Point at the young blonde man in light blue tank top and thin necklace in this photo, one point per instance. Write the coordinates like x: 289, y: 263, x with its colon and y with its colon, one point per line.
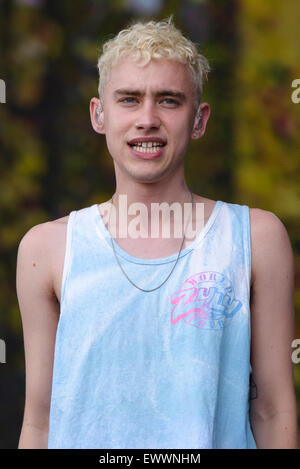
x: 153, y: 337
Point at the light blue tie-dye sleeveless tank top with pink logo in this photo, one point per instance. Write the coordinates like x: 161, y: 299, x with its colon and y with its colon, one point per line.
x: 166, y: 369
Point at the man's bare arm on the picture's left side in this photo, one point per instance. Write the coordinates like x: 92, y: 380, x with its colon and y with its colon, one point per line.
x: 40, y: 313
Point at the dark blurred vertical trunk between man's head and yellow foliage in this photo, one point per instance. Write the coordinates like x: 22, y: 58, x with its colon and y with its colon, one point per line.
x: 210, y: 162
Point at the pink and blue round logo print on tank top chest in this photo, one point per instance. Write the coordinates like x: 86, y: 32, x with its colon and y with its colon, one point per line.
x: 205, y: 300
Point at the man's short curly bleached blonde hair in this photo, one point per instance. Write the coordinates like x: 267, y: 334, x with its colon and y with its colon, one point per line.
x: 153, y: 40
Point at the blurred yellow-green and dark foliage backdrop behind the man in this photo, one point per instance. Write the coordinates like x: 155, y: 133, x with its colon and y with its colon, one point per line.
x: 52, y: 162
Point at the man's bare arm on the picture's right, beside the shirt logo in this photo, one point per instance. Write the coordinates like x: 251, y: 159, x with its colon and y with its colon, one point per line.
x: 273, y: 412
